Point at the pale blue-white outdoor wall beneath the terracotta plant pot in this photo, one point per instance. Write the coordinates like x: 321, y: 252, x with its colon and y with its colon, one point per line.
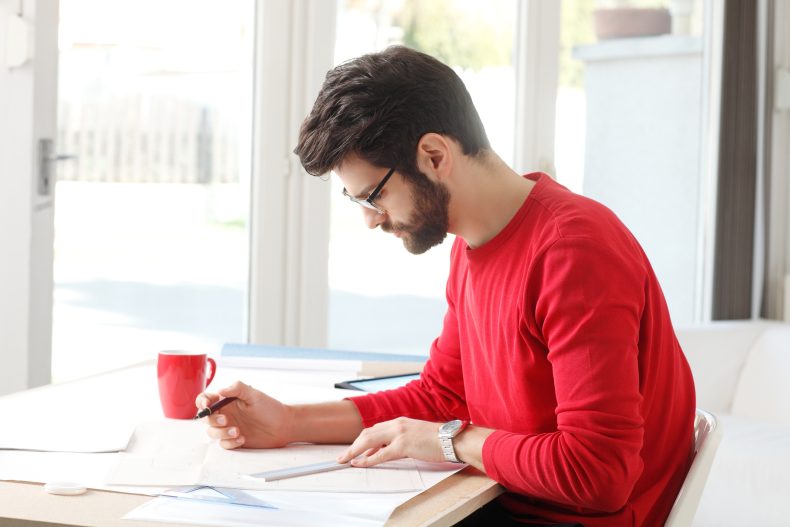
x: 642, y: 155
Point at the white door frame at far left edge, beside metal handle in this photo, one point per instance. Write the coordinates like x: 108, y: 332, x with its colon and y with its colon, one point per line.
x: 28, y: 110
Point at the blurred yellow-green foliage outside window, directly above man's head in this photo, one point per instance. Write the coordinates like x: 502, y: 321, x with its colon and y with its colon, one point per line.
x: 466, y: 35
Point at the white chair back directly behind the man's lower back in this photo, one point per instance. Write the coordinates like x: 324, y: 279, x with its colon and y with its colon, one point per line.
x: 707, y: 436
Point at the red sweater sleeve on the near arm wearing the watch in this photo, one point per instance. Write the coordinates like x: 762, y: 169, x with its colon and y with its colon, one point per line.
x: 587, y: 298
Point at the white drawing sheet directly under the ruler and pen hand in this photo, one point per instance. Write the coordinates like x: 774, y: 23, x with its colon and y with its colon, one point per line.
x: 175, y: 453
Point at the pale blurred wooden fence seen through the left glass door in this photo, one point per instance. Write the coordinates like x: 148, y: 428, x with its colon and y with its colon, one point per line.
x: 148, y: 139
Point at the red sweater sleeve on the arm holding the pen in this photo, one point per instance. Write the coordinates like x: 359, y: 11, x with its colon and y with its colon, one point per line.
x: 438, y: 395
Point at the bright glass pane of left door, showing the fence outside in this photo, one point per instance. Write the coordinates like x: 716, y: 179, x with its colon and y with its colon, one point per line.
x: 151, y: 244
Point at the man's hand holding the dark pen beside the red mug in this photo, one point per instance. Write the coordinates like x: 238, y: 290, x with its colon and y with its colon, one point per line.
x: 254, y: 420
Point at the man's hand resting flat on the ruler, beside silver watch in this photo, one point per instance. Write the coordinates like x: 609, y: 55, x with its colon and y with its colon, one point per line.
x: 396, y: 439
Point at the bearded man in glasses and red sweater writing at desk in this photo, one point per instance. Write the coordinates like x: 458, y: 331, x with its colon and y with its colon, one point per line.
x: 557, y: 344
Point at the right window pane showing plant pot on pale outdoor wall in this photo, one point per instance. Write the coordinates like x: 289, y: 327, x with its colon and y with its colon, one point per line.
x: 631, y: 130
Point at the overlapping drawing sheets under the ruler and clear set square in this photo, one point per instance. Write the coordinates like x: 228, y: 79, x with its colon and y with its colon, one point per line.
x: 178, y: 453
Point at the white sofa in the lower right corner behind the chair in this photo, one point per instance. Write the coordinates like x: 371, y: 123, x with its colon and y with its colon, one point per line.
x: 742, y: 374
